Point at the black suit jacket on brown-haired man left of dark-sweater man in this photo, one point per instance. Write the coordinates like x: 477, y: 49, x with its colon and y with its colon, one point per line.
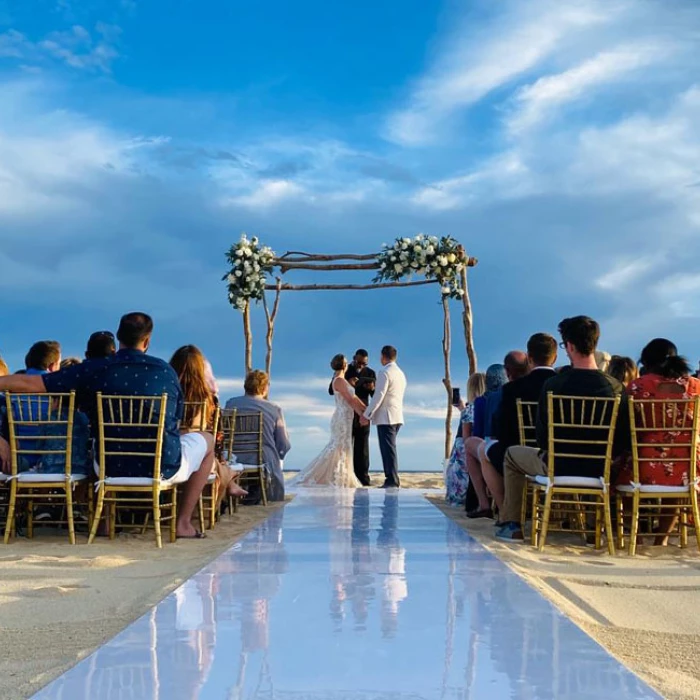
x: 506, y: 431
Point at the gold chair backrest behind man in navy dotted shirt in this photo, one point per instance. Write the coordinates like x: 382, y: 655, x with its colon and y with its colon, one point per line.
x: 131, y: 431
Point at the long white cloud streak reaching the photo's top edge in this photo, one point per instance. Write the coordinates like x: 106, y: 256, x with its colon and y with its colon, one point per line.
x: 474, y: 63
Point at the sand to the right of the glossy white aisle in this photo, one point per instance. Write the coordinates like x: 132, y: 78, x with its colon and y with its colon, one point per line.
x: 645, y: 609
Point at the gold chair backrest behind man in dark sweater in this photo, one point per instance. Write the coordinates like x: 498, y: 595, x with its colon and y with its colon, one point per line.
x: 581, y: 432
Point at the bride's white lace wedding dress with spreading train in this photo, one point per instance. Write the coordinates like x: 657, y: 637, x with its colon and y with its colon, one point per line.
x: 334, y: 466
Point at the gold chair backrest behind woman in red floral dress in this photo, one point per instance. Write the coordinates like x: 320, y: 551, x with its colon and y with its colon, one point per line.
x: 665, y: 430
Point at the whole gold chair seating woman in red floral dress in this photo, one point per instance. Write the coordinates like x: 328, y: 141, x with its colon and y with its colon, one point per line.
x: 679, y: 420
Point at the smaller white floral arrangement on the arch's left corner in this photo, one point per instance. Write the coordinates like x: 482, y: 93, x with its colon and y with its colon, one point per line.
x: 250, y: 263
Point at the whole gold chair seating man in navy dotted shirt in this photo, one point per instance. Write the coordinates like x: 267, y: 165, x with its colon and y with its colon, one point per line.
x: 142, y: 417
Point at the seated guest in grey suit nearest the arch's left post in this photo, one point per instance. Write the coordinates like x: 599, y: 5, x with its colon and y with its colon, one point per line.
x: 275, y: 439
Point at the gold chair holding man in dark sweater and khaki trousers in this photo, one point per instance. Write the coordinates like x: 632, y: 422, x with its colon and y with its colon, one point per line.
x: 580, y: 429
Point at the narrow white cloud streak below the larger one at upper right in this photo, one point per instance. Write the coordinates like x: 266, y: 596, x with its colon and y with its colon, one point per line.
x: 535, y: 103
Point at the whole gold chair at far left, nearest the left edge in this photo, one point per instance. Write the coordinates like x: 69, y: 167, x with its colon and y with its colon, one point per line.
x: 40, y: 429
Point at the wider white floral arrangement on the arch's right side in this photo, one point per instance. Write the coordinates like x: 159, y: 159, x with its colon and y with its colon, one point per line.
x: 442, y: 259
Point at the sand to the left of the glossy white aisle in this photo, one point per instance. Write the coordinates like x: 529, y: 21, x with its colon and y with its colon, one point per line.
x: 59, y: 602
